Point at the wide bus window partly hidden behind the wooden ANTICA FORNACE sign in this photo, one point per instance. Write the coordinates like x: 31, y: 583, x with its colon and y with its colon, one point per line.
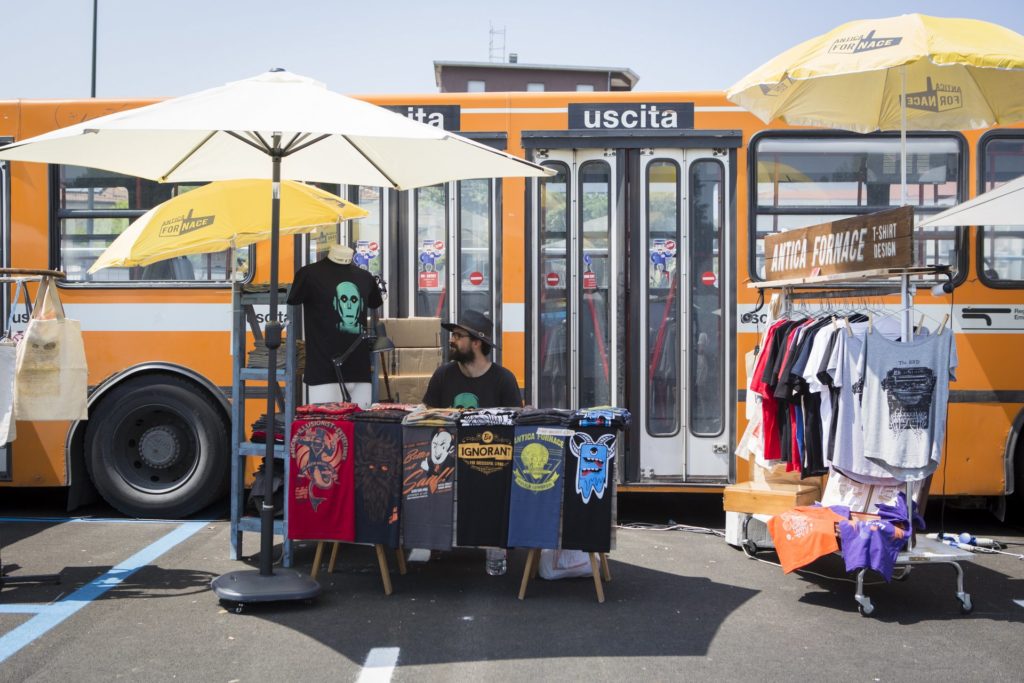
x: 802, y: 181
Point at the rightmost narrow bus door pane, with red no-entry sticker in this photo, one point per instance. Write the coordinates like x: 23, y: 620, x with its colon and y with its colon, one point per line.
x: 707, y: 359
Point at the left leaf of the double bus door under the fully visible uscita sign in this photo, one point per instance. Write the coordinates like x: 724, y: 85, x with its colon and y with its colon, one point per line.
x: 577, y: 335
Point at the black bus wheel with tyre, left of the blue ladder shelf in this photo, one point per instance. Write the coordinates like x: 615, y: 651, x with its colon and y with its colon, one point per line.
x: 157, y: 447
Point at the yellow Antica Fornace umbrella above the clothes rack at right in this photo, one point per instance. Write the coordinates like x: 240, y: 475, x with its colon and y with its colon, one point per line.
x: 952, y: 74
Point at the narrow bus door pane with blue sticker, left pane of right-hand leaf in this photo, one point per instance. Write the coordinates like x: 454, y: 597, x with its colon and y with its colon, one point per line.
x: 664, y: 377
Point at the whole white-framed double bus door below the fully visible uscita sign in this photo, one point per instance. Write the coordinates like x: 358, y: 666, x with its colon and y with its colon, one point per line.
x: 631, y: 302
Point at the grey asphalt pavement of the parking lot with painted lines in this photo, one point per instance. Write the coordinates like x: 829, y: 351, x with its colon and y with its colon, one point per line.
x: 135, y: 605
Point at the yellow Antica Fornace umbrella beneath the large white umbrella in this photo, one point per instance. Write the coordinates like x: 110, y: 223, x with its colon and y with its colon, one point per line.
x: 223, y: 216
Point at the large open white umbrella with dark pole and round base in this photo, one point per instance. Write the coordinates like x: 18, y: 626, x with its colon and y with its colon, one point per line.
x: 309, y: 134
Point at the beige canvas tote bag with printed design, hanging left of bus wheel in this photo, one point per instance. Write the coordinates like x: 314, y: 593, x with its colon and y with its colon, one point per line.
x: 52, y: 381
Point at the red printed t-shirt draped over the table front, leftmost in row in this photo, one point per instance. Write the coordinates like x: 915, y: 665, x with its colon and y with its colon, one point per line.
x: 322, y: 504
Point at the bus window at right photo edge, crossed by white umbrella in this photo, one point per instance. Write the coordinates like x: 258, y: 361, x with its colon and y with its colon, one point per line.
x: 1002, y: 252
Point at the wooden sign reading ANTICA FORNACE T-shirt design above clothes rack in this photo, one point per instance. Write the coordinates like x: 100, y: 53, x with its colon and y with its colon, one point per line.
x: 882, y: 240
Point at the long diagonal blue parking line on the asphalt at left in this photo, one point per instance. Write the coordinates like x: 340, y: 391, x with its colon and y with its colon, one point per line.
x: 54, y: 615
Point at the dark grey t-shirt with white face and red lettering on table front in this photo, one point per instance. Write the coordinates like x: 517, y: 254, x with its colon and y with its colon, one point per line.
x: 429, y: 487
